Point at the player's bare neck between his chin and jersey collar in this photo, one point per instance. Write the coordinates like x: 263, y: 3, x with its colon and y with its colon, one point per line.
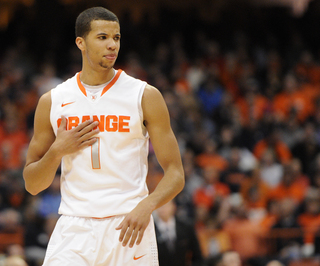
x: 95, y: 78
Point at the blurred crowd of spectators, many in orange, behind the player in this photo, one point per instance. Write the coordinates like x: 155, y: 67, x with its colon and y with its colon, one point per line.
x: 247, y: 120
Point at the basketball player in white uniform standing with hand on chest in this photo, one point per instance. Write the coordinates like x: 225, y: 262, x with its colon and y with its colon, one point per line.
x: 98, y: 123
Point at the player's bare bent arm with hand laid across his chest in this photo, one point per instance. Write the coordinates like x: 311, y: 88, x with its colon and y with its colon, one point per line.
x: 46, y: 150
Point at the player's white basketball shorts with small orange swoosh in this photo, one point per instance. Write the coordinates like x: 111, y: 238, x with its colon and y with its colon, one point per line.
x: 78, y: 241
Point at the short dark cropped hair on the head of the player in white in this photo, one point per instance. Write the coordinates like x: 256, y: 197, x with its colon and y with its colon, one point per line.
x: 83, y: 21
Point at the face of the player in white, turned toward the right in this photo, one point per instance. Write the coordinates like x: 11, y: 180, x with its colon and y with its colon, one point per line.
x: 102, y: 44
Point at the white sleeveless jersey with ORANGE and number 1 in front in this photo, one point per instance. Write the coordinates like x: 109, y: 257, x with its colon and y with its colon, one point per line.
x: 109, y: 177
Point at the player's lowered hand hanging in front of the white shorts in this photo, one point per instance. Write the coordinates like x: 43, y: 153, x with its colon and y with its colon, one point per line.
x: 134, y: 224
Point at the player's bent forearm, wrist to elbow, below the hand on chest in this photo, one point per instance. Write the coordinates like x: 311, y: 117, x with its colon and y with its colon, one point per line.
x: 38, y: 175
